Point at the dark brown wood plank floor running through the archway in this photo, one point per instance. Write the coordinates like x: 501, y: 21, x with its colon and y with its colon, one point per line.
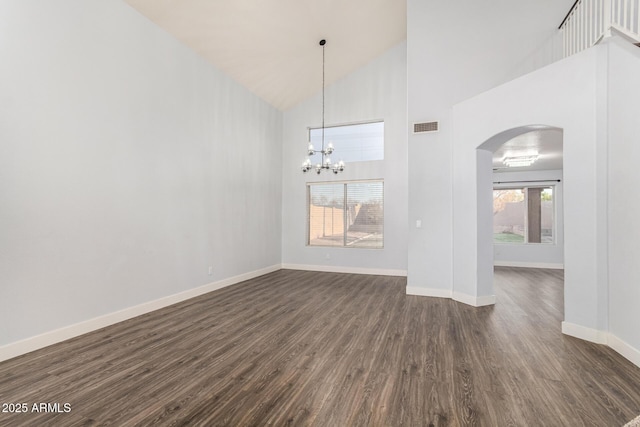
x: 302, y: 348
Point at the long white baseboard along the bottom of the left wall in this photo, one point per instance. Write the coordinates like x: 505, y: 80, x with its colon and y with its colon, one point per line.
x: 37, y: 342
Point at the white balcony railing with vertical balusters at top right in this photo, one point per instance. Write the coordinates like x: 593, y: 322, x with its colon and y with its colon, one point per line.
x: 589, y: 21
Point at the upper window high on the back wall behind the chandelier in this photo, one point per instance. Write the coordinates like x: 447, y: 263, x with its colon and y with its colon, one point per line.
x: 352, y: 143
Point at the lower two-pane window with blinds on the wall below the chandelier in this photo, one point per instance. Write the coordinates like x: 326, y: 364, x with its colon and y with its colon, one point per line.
x: 347, y: 214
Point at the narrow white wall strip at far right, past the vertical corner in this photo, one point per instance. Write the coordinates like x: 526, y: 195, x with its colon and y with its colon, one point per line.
x: 624, y: 204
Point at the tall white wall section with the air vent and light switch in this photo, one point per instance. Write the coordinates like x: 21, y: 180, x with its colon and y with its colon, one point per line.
x: 456, y: 50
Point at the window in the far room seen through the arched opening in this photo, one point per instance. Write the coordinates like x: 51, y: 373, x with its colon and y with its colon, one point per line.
x: 523, y: 215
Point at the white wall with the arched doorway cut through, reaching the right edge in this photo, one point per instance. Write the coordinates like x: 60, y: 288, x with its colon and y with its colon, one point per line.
x: 593, y: 96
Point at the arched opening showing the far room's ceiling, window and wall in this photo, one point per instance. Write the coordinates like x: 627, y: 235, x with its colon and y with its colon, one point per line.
x: 520, y: 201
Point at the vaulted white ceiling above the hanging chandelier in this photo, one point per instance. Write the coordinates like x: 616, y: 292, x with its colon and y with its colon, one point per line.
x: 271, y: 46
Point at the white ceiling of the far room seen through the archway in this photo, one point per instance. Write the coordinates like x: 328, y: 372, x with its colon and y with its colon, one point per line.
x: 547, y: 143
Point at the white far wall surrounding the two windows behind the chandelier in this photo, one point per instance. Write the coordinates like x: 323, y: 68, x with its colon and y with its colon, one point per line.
x: 376, y: 91
